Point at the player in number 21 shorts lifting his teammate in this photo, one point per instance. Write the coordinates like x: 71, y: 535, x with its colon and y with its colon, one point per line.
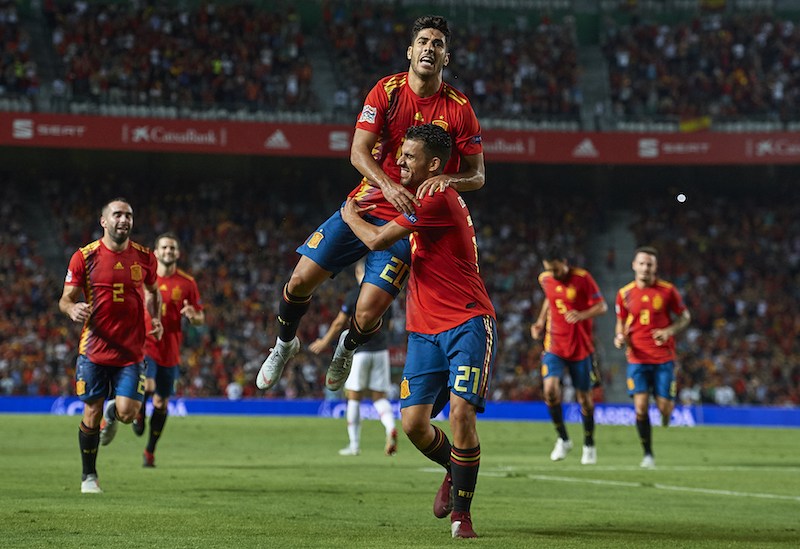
x: 451, y: 320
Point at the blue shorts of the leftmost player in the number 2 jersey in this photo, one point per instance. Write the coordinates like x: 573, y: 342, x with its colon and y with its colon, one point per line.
x: 93, y: 380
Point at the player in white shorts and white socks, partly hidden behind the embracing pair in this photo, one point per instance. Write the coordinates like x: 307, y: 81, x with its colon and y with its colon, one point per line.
x: 370, y: 371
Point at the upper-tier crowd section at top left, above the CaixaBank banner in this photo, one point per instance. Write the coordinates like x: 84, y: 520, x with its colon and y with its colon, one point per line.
x: 214, y: 55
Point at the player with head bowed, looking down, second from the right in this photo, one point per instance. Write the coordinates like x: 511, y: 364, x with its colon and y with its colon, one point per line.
x: 572, y: 300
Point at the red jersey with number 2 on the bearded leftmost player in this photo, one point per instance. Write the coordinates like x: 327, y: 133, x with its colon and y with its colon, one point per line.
x: 113, y: 286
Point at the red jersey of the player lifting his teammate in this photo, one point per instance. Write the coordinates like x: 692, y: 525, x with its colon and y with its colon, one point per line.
x: 444, y: 289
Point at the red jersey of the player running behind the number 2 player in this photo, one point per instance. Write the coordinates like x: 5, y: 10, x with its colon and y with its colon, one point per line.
x: 174, y: 289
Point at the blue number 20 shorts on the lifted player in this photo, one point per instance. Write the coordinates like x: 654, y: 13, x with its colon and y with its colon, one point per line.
x: 333, y: 246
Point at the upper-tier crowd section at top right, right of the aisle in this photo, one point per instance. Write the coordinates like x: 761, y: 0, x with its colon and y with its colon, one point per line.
x: 716, y: 65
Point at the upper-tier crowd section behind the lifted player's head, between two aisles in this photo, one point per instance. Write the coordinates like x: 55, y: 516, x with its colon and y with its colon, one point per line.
x: 506, y: 72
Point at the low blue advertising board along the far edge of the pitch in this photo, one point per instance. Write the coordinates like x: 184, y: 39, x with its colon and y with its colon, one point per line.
x: 605, y: 414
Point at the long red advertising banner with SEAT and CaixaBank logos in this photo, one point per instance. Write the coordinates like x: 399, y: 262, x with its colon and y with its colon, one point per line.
x: 327, y: 140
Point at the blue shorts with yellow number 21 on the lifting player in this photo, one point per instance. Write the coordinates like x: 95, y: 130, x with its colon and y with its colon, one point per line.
x: 459, y: 359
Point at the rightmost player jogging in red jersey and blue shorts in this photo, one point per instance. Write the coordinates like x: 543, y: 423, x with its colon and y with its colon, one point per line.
x: 644, y: 324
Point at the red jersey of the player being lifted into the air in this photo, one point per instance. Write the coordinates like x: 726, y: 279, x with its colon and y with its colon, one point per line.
x: 390, y: 108
